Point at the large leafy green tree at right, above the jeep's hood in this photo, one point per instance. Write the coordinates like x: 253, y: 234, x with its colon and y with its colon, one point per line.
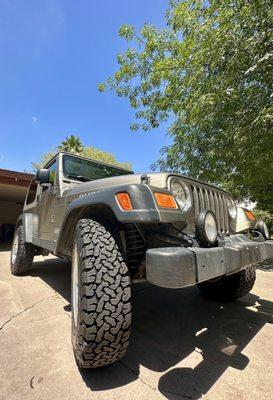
x: 210, y: 73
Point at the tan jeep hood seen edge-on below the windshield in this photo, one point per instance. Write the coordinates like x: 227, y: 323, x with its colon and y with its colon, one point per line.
x: 155, y: 179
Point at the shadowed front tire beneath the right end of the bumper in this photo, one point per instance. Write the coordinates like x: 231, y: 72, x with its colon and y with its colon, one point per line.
x: 232, y: 287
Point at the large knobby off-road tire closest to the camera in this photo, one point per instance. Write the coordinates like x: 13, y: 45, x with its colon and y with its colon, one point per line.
x: 101, y: 316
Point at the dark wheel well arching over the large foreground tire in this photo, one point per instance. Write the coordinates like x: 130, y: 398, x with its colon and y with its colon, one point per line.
x: 99, y: 212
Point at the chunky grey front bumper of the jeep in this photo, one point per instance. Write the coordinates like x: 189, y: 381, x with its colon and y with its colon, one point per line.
x: 177, y: 267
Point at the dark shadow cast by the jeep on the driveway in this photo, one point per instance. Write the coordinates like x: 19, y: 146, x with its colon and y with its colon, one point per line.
x: 168, y: 327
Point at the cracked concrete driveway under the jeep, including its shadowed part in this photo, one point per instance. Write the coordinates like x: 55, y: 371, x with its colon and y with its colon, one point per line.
x: 182, y: 346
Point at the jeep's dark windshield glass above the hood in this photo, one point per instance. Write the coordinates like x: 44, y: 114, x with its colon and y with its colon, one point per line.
x: 85, y: 170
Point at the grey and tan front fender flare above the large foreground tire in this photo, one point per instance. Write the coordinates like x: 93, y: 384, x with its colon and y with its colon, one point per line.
x: 145, y: 209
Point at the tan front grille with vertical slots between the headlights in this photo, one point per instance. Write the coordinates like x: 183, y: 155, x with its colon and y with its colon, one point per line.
x: 206, y: 199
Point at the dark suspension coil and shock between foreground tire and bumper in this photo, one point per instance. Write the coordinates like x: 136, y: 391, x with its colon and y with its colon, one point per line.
x: 135, y: 247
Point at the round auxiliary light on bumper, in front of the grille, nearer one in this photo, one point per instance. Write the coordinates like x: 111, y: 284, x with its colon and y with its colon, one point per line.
x: 206, y: 227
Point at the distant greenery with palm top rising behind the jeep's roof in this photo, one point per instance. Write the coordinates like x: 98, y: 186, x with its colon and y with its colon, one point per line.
x: 73, y: 144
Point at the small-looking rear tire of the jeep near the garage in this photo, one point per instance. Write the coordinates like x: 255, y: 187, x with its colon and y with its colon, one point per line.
x: 21, y: 262
